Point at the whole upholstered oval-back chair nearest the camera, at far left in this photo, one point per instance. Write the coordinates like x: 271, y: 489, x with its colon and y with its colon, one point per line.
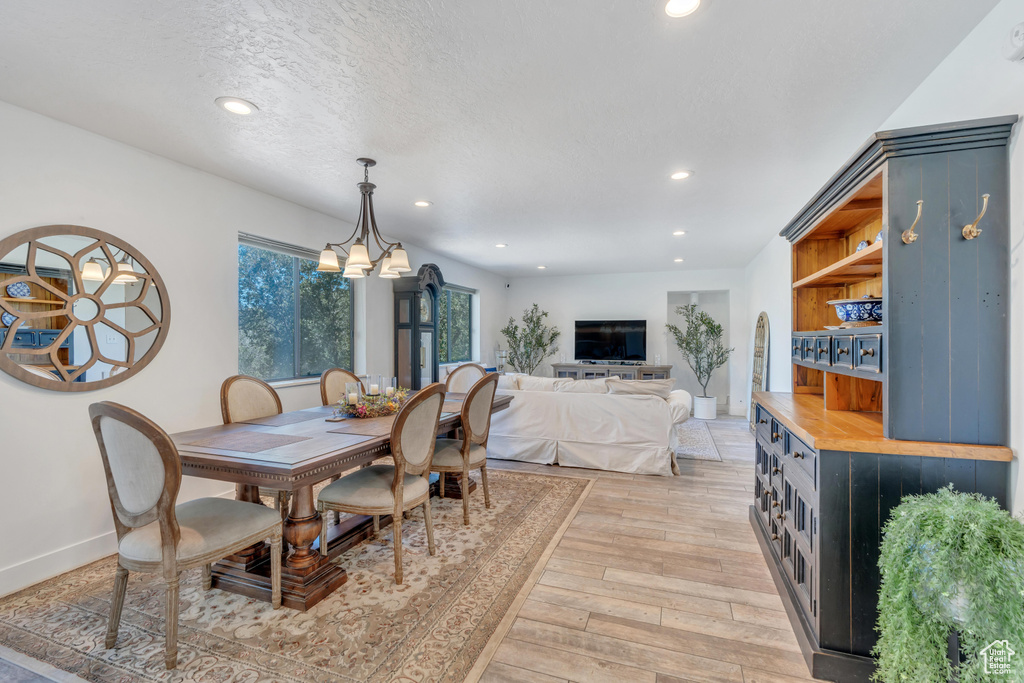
x: 144, y: 475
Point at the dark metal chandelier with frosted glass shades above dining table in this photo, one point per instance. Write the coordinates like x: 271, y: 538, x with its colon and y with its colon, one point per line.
x: 394, y: 260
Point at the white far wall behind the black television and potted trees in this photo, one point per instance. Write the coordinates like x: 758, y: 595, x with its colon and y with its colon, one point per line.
x: 636, y: 296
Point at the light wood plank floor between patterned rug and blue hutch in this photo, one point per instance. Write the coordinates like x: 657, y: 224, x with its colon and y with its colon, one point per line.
x: 657, y: 580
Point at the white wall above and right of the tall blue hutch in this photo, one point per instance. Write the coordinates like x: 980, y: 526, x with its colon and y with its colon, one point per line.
x: 976, y: 81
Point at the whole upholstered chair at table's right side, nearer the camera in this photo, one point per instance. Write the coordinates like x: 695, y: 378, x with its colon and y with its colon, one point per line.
x: 387, y: 490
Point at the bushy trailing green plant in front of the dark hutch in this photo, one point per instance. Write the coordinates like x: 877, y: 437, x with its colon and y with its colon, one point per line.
x: 949, y: 562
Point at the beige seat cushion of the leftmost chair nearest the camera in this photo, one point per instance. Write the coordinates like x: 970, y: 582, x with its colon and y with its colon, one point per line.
x: 207, y: 525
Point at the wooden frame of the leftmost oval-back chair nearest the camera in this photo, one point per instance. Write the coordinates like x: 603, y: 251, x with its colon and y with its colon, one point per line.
x: 163, y: 513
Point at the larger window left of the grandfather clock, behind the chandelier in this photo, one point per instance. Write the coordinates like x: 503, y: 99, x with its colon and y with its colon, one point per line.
x: 293, y: 321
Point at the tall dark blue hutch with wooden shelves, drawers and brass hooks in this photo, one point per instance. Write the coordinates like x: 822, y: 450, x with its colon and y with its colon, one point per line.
x: 904, y: 406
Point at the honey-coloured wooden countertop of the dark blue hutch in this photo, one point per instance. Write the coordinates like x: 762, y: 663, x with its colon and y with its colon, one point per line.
x: 805, y: 416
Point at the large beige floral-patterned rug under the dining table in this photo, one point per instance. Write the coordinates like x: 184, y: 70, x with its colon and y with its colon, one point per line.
x: 434, y: 628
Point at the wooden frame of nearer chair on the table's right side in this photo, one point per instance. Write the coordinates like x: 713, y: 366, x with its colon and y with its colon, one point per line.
x: 402, y: 466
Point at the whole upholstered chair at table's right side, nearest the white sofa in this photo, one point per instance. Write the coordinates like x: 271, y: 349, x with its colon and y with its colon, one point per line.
x: 470, y: 453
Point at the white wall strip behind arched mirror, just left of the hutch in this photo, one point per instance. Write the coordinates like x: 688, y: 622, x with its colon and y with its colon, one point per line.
x: 770, y: 288
